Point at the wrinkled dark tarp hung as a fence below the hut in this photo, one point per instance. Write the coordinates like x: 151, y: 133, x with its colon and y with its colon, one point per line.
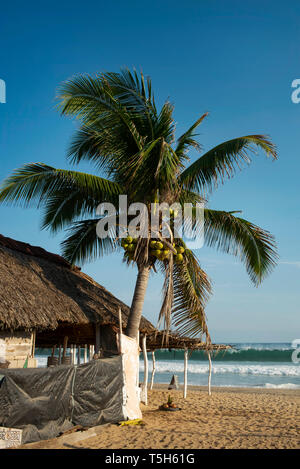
x: 46, y: 401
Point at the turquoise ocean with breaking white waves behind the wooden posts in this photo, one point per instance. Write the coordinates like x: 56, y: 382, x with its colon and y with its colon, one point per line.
x: 254, y: 365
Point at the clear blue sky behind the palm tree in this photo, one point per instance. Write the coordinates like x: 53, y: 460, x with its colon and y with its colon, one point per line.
x: 236, y: 60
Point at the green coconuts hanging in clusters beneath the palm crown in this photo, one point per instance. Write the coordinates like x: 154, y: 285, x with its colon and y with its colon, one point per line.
x: 156, y: 249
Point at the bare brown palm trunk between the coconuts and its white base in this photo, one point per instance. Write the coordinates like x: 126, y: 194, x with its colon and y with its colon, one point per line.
x: 137, y: 302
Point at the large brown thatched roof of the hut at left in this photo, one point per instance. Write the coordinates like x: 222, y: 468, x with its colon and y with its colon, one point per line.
x: 40, y: 290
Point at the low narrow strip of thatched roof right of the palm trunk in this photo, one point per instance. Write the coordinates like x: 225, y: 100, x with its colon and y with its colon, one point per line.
x: 172, y: 340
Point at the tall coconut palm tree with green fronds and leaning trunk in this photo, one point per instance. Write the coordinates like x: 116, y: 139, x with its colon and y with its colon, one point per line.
x: 132, y: 146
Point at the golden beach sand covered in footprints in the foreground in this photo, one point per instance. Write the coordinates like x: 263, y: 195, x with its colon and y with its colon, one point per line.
x: 229, y: 418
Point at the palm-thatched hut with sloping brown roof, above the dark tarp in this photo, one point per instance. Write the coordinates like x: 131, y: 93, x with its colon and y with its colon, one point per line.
x: 46, y: 302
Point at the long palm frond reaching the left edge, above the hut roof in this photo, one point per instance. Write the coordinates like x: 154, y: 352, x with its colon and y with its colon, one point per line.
x: 65, y: 195
